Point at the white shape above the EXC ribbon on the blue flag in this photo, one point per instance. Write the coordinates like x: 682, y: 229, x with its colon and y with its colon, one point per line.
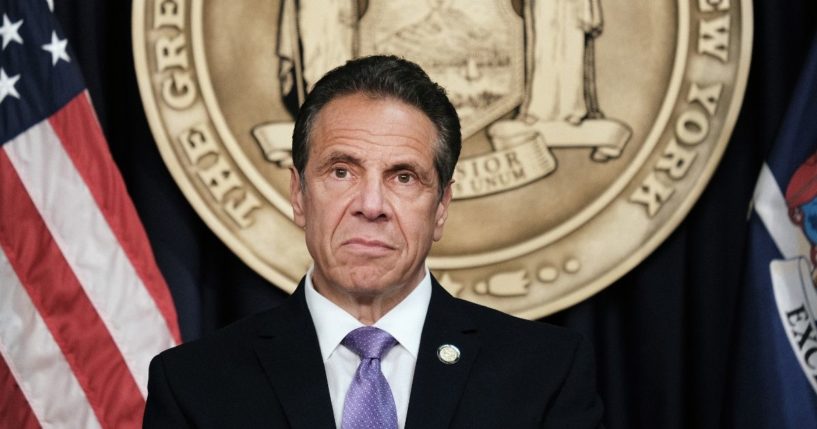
x: 770, y: 205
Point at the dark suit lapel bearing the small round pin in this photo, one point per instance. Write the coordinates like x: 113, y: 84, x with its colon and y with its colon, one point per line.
x: 437, y: 386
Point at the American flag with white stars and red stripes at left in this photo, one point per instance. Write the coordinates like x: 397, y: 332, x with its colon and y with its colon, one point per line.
x: 83, y: 306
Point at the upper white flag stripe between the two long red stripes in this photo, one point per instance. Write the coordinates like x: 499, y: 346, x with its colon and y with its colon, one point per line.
x: 90, y: 248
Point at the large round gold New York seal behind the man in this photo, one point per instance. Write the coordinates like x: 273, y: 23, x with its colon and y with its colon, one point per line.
x: 590, y: 126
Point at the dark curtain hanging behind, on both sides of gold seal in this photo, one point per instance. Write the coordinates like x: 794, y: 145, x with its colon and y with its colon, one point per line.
x: 663, y: 334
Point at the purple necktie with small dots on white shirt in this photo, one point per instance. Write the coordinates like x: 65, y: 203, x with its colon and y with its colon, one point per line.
x: 369, y: 402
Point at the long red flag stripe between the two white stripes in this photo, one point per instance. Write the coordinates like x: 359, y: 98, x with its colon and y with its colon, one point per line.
x: 61, y: 301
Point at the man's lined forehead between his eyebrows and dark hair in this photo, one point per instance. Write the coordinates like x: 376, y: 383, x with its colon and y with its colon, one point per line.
x: 373, y: 123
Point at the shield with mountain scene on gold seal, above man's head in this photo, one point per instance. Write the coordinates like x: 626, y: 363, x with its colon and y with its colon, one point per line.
x: 473, y: 49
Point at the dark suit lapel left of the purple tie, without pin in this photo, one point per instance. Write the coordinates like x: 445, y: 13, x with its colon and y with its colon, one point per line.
x: 287, y: 347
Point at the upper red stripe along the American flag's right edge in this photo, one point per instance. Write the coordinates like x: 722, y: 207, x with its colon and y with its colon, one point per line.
x: 76, y: 126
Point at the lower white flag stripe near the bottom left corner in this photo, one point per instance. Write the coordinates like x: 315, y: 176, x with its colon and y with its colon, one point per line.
x: 37, y: 363
